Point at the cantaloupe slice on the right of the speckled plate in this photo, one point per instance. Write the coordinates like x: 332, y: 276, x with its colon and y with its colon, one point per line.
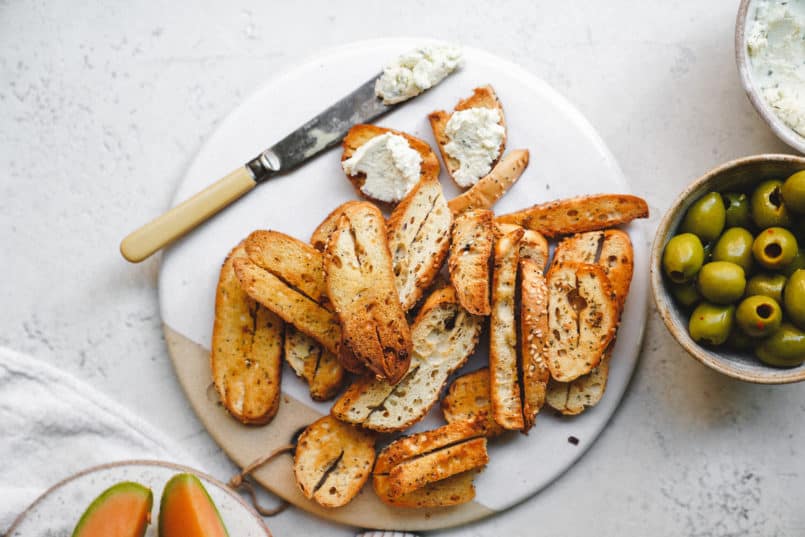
x: 186, y: 510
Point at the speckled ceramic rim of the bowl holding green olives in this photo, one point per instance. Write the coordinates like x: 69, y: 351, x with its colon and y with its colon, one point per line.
x: 710, y: 359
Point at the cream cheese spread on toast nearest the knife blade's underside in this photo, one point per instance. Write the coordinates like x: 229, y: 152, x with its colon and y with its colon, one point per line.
x: 391, y: 166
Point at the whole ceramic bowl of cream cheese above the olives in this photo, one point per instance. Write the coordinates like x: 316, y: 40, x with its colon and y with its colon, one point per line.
x: 770, y: 52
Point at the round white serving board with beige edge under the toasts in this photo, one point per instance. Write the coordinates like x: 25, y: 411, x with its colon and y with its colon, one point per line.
x: 568, y: 158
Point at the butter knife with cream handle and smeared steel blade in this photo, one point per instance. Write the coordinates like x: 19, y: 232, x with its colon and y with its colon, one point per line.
x: 317, y: 135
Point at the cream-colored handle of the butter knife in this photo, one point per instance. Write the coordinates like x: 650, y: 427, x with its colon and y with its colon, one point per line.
x: 162, y: 231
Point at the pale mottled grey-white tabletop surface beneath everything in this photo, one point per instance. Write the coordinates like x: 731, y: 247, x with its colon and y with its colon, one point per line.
x: 103, y: 104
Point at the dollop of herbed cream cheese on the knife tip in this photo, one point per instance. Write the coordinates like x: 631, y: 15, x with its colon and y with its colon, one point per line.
x: 415, y: 71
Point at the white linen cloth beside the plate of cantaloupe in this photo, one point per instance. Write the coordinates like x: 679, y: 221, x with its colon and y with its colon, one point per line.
x: 52, y: 425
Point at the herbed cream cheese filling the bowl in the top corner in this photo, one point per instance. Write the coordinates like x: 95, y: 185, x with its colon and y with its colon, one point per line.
x: 776, y: 46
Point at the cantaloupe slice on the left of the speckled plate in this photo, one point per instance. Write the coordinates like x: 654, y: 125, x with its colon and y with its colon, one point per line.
x: 123, y: 510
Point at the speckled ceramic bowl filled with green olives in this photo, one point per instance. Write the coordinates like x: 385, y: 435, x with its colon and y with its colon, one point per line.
x: 728, y: 269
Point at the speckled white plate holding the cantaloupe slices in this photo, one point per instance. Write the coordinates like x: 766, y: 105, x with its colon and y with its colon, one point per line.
x: 58, y: 510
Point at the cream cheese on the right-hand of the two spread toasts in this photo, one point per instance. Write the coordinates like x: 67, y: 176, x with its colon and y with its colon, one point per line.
x: 475, y: 138
